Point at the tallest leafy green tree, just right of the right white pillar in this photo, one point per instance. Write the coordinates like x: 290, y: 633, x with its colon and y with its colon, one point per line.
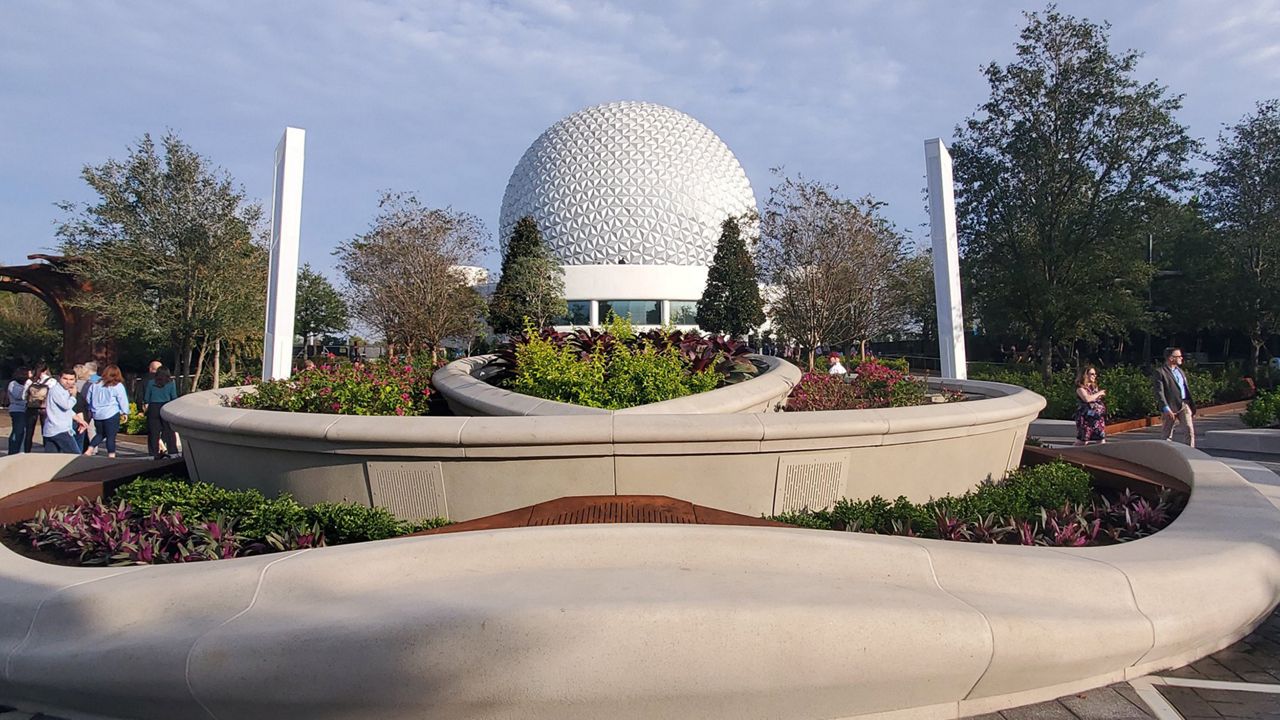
x: 1053, y: 176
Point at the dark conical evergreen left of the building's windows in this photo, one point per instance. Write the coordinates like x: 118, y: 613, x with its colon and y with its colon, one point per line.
x: 532, y: 284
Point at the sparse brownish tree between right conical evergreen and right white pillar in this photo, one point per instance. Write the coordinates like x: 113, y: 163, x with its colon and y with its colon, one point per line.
x: 816, y: 252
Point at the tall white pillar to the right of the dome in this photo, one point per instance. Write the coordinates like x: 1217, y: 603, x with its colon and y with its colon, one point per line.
x: 947, y: 259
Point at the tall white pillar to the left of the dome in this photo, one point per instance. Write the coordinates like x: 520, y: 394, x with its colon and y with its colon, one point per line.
x: 282, y: 288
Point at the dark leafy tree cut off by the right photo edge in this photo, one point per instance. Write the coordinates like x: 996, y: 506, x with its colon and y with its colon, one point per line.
x: 1242, y: 199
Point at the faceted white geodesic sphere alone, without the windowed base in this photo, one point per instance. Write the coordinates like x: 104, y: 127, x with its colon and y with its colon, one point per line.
x: 628, y: 183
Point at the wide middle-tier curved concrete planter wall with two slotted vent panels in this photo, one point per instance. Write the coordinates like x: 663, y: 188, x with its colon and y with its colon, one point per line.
x: 749, y: 463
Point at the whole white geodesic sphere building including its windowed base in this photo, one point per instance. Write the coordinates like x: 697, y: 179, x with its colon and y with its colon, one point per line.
x: 630, y: 198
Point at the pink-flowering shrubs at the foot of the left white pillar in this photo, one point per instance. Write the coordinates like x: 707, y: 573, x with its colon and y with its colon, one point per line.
x: 400, y: 386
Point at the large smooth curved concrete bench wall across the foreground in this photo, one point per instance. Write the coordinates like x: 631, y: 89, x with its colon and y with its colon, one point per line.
x: 641, y: 621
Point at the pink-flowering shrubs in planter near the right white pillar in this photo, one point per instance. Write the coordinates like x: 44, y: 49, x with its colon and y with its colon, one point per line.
x: 874, y: 385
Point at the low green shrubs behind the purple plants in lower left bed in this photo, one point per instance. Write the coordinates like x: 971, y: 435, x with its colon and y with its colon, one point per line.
x: 258, y: 517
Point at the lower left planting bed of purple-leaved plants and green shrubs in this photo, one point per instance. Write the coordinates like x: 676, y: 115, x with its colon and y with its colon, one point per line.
x: 157, y: 521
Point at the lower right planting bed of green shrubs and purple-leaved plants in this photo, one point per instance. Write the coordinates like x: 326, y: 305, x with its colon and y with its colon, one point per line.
x: 1054, y: 505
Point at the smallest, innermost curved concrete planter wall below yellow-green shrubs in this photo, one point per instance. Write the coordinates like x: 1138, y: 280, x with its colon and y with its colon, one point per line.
x: 463, y: 384
